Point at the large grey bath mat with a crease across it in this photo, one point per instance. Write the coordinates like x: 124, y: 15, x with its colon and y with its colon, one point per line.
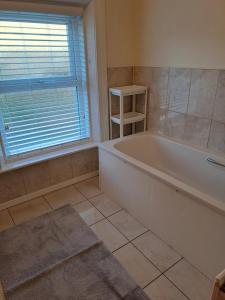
x: 57, y: 257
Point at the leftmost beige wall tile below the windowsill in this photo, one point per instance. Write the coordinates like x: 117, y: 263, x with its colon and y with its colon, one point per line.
x: 11, y: 185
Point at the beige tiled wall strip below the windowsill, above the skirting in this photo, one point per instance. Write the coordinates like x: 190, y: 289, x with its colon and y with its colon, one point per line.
x: 33, y: 178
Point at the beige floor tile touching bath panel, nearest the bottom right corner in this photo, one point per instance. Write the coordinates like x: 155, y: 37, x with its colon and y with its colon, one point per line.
x: 190, y: 281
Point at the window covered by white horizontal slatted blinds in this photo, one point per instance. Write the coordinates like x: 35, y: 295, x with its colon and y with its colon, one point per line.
x: 43, y: 93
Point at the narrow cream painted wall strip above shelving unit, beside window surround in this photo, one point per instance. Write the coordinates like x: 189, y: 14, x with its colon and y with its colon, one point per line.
x: 120, y: 34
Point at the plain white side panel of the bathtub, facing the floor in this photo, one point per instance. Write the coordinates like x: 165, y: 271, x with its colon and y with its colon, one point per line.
x: 193, y: 229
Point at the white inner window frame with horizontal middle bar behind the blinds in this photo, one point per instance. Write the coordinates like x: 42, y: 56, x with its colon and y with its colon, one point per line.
x: 53, y: 82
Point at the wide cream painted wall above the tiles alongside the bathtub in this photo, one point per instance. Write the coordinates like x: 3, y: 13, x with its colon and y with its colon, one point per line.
x: 180, y: 33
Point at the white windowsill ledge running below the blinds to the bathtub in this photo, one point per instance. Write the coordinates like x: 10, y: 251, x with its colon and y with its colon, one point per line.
x: 45, y: 157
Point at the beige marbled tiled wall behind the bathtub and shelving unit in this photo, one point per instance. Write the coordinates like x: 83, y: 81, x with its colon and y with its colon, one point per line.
x: 186, y: 104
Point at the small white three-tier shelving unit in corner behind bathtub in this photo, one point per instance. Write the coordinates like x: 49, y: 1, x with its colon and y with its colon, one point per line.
x: 128, y: 117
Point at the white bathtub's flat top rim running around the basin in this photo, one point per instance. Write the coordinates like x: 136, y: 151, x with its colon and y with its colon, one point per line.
x: 177, y: 184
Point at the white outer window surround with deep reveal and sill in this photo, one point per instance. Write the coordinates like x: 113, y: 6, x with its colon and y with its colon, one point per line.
x: 96, y: 63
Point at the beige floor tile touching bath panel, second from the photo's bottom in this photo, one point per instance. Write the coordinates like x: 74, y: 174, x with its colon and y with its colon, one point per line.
x: 157, y: 251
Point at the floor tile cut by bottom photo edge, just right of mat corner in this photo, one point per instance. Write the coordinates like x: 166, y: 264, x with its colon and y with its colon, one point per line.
x: 163, y: 289
